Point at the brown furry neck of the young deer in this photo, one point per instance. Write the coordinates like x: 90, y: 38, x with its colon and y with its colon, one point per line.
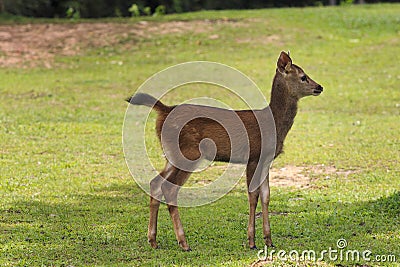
x: 284, y: 110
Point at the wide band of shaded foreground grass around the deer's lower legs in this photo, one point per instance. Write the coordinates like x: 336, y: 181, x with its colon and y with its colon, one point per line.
x: 109, y: 226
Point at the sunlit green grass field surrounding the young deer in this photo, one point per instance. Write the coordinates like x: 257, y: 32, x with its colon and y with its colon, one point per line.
x: 67, y: 198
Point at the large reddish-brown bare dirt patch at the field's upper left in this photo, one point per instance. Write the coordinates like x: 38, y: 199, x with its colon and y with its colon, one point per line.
x: 36, y: 44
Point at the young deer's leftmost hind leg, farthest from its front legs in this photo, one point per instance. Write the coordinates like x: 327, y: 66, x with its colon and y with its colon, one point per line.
x: 155, y: 198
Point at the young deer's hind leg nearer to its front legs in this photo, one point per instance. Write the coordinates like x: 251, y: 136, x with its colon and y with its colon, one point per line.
x: 170, y: 189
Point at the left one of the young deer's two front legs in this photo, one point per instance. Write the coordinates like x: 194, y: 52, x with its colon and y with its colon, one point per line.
x: 253, y: 199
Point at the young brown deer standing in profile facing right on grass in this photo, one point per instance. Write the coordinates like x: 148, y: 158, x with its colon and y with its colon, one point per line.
x: 289, y: 85
